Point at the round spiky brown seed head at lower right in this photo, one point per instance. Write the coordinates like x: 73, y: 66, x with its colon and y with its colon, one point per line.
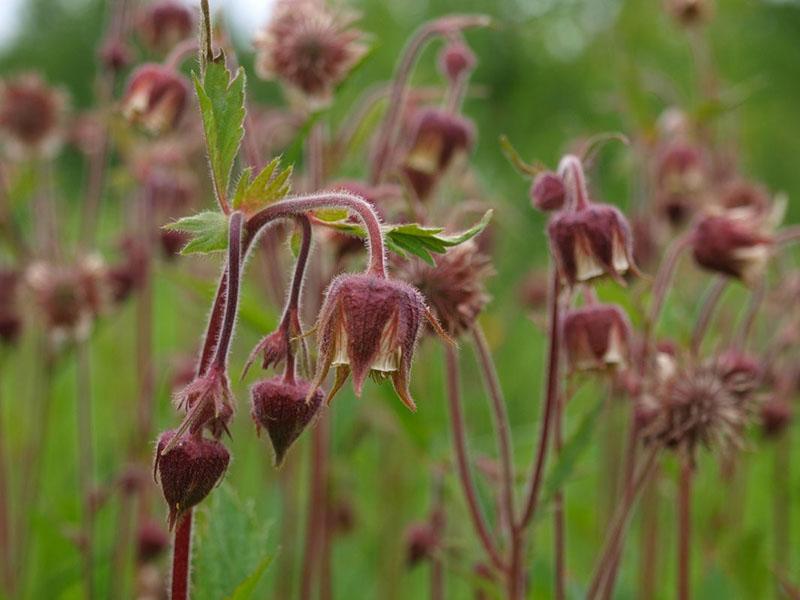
x: 698, y: 407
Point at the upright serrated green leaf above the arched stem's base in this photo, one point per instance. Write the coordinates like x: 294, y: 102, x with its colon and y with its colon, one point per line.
x: 221, y: 100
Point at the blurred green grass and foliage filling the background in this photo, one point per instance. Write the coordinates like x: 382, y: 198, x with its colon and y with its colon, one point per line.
x: 550, y: 72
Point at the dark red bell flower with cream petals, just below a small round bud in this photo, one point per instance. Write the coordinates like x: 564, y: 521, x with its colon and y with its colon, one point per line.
x: 591, y: 242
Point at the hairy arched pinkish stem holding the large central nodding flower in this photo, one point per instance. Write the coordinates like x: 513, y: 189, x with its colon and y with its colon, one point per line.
x: 300, y: 205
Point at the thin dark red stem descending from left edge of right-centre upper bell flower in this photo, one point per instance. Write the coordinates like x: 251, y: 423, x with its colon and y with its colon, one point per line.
x: 554, y: 353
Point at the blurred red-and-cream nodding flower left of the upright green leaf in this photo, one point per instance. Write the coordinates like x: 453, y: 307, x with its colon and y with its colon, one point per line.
x: 155, y: 98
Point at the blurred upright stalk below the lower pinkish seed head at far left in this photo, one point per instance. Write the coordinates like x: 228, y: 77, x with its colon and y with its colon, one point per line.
x: 85, y: 463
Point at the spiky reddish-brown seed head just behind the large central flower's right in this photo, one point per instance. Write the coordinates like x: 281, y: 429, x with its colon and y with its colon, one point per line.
x: 454, y: 286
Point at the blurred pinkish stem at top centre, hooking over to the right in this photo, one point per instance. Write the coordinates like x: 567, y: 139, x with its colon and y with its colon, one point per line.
x: 397, y: 99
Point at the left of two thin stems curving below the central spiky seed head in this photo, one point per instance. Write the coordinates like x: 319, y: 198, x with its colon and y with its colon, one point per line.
x: 462, y: 460
